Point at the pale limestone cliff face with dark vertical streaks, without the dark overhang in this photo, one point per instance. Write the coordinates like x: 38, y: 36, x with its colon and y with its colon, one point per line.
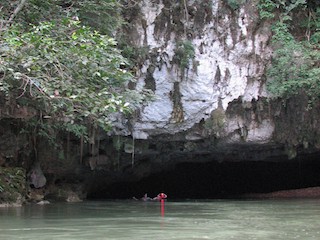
x: 230, y: 56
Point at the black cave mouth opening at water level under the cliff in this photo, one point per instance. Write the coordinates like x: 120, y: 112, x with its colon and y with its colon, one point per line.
x: 214, y: 180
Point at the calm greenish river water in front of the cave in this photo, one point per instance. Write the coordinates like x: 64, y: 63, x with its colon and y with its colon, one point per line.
x: 216, y: 219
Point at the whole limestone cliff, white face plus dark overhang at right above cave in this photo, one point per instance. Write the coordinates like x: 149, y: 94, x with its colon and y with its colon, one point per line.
x: 217, y: 93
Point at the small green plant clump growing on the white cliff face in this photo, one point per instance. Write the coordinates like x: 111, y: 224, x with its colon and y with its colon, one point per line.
x: 184, y: 52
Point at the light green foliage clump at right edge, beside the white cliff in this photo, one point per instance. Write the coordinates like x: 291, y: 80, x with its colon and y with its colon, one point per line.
x: 295, y: 66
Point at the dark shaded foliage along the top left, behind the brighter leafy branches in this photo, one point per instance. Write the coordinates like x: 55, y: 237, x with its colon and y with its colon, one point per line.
x: 102, y: 15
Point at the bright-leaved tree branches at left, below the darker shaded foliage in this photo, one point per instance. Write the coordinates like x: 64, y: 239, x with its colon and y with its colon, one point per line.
x: 74, y: 74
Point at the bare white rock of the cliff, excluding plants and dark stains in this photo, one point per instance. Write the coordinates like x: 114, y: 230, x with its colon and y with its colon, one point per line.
x: 230, y: 55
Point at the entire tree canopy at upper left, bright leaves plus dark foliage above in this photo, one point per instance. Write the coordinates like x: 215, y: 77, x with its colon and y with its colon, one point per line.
x: 54, y: 59
